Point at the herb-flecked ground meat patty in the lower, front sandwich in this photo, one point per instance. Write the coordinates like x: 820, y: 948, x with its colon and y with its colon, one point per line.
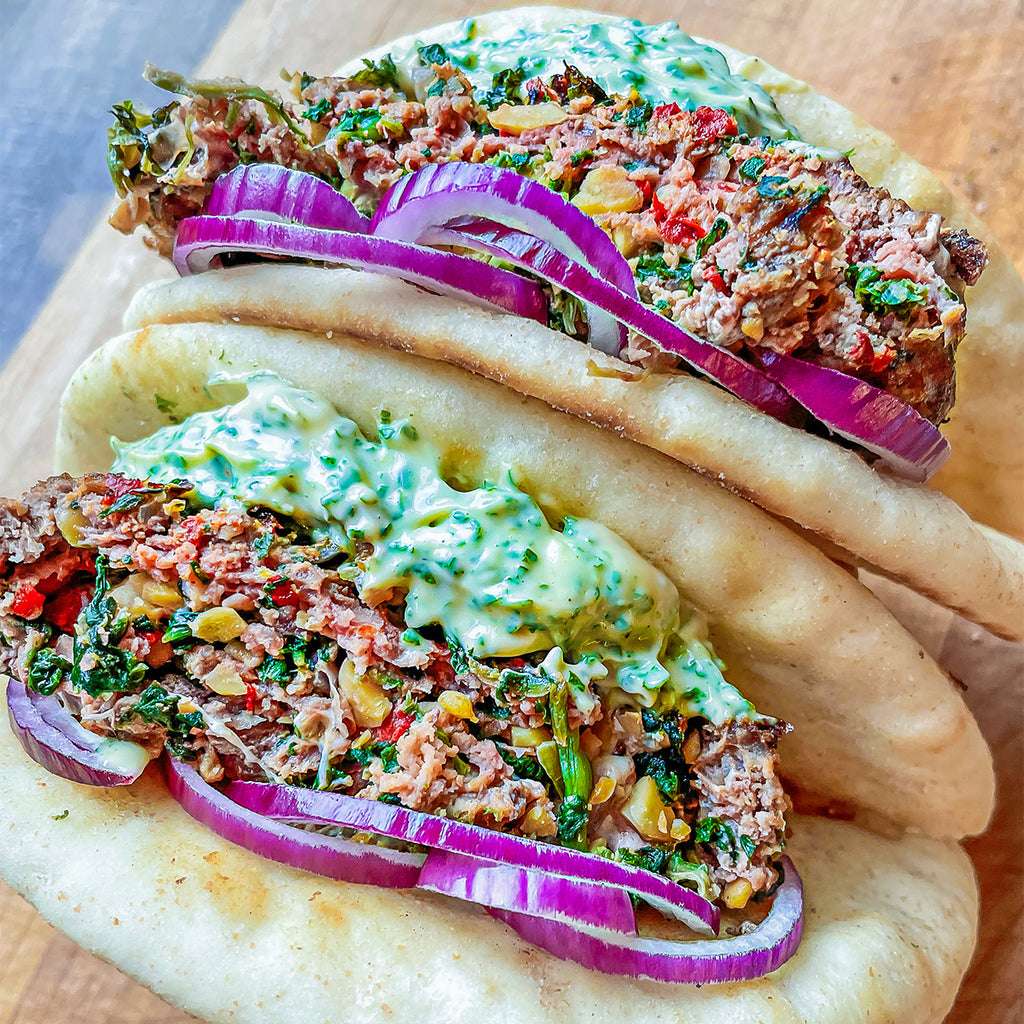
x: 230, y: 641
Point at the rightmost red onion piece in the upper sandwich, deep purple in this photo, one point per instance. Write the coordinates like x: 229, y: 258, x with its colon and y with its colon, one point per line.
x: 863, y: 414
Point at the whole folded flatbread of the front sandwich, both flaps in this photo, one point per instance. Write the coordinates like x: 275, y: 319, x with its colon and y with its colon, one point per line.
x: 885, y: 738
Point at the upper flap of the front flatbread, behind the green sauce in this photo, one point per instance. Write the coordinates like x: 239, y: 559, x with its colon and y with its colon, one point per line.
x: 878, y: 728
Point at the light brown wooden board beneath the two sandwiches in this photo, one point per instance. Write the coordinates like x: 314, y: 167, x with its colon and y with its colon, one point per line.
x: 942, y: 76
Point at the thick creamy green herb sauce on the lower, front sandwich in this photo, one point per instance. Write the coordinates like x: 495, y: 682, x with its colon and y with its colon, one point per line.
x: 484, y: 565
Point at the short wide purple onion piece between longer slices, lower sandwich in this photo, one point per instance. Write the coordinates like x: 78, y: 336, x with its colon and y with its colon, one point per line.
x: 524, y: 890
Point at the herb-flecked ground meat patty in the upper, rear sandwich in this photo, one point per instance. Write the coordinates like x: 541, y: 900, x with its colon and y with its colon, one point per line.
x: 748, y: 243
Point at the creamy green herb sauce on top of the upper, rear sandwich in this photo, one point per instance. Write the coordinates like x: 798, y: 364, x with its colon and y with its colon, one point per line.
x: 661, y: 62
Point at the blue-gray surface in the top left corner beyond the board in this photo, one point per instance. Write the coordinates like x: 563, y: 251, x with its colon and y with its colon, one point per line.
x: 62, y: 68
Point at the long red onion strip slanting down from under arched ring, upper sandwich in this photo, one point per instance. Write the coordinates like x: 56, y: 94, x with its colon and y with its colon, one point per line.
x: 728, y: 369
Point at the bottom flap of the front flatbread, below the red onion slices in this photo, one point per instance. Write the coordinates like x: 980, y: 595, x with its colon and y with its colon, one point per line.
x: 890, y: 926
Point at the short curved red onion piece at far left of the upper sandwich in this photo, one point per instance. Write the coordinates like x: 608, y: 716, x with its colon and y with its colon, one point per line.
x: 270, y: 190
